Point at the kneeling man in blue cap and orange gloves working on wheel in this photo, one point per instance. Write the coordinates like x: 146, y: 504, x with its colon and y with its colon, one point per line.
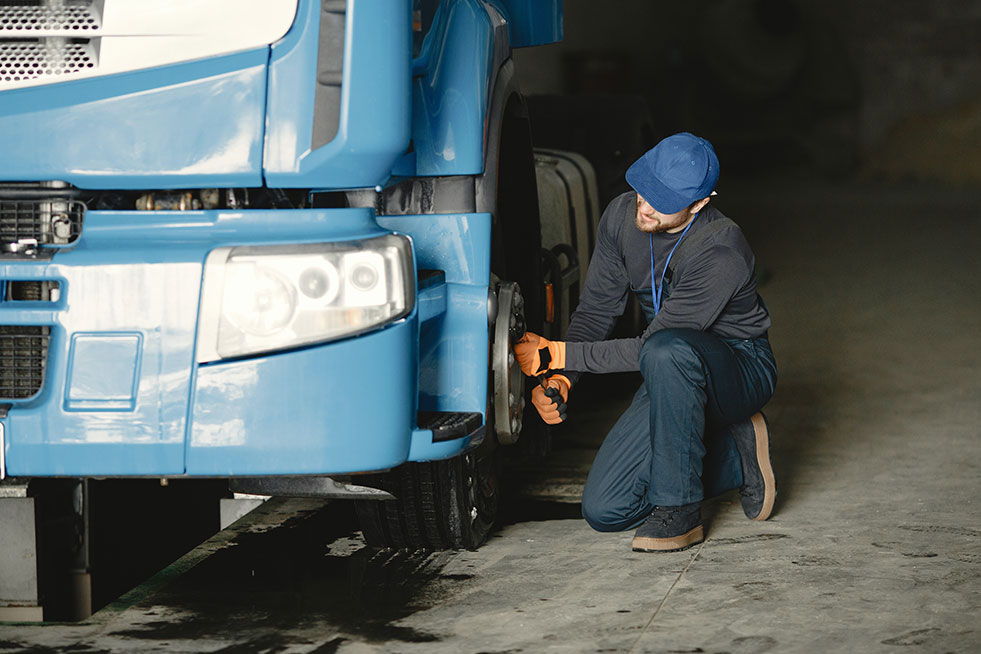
x: 694, y: 428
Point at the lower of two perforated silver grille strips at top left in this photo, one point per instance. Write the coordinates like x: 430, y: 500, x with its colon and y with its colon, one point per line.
x: 23, y: 60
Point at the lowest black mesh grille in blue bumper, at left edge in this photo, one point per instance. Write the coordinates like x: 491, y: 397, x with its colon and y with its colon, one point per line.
x: 23, y: 358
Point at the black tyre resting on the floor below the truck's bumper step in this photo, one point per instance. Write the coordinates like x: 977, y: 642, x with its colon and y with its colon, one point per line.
x: 448, y: 504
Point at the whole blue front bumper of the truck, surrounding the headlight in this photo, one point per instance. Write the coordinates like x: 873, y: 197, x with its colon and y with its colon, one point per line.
x: 123, y: 393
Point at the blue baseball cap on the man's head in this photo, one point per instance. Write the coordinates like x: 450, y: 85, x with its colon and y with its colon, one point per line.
x: 679, y: 170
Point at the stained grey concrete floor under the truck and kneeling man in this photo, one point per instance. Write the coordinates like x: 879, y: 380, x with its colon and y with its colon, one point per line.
x: 875, y: 545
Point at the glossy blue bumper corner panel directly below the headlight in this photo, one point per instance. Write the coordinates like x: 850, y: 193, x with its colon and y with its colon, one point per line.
x: 343, y: 407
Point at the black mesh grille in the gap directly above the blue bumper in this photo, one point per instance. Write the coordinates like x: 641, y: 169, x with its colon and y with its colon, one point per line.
x: 40, y: 222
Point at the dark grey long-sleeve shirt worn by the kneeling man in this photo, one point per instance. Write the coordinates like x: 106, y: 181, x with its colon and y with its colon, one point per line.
x: 710, y: 286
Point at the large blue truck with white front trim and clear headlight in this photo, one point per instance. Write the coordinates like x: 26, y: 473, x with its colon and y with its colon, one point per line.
x: 283, y: 242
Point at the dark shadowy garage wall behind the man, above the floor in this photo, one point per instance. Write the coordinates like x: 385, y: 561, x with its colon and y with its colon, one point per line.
x: 886, y: 89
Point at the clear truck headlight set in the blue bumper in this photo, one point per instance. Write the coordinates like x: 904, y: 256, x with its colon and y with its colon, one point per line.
x: 272, y: 297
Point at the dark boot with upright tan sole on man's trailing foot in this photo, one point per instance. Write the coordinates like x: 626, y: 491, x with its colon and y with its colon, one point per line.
x: 752, y: 437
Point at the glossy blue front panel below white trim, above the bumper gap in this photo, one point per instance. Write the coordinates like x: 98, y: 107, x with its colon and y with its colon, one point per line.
x: 190, y: 125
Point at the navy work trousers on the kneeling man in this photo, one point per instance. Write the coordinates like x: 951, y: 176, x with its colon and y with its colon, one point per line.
x: 669, y: 447
